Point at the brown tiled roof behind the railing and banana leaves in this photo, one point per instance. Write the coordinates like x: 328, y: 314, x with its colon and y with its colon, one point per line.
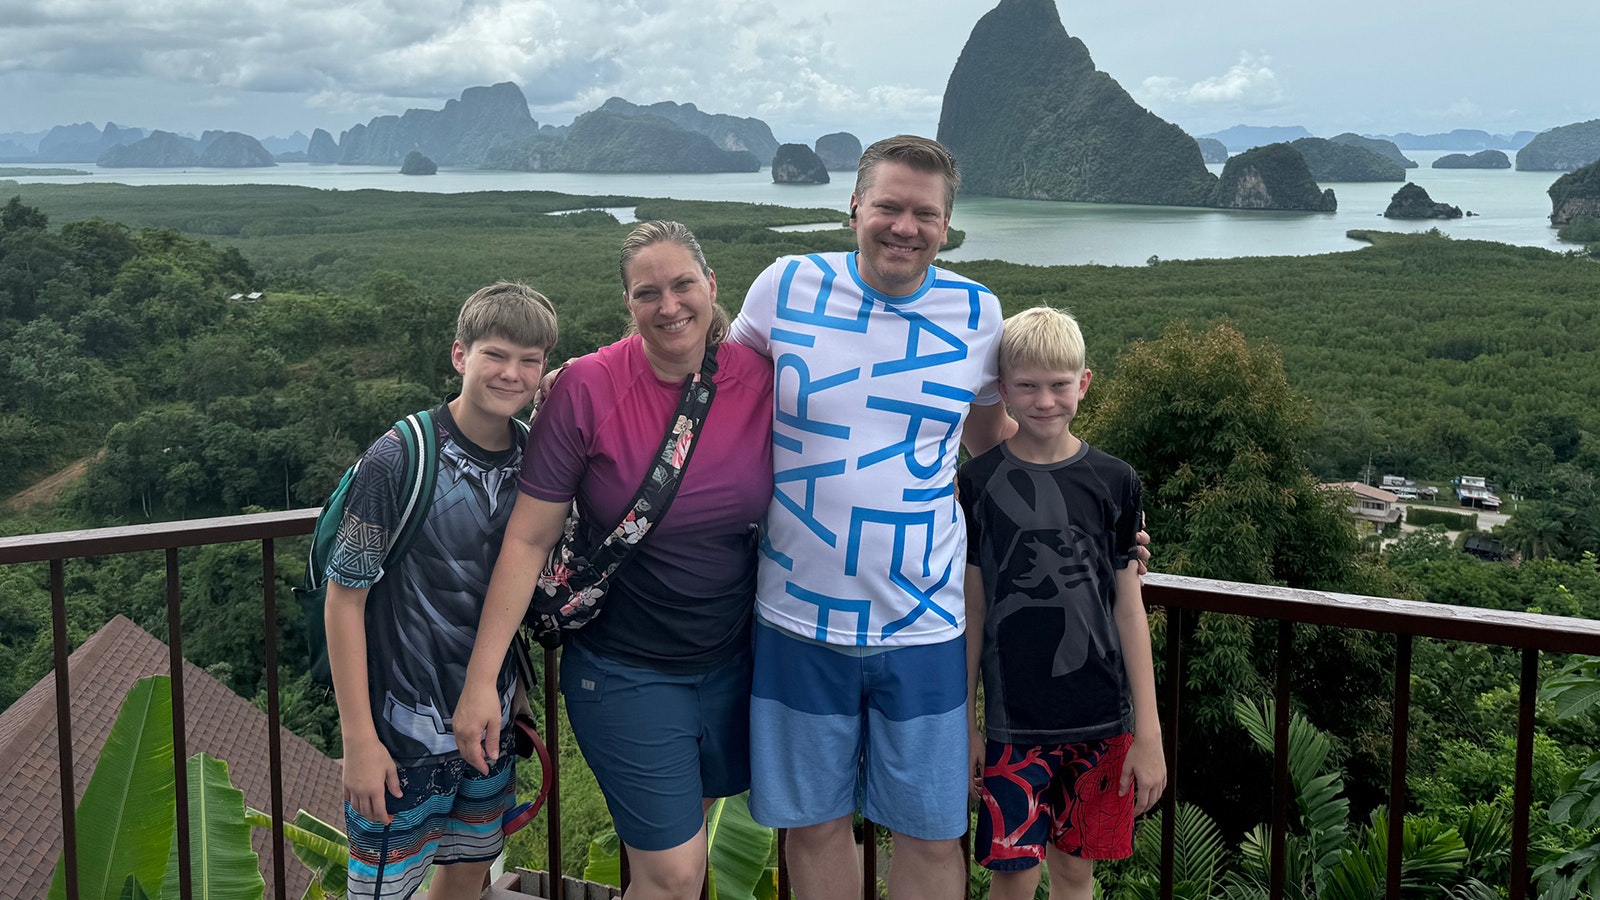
x: 218, y: 723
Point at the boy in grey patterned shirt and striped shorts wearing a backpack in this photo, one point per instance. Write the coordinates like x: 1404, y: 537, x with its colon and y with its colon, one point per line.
x: 401, y: 629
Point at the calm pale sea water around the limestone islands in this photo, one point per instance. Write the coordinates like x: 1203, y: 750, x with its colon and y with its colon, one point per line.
x: 1513, y: 207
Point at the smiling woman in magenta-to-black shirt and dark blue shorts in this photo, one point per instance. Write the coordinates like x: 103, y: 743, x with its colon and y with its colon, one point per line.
x: 658, y: 686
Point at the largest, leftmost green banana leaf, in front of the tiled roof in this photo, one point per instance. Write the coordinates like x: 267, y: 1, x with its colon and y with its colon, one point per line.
x: 127, y: 816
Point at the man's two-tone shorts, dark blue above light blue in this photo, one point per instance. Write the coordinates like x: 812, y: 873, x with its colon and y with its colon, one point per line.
x: 838, y: 729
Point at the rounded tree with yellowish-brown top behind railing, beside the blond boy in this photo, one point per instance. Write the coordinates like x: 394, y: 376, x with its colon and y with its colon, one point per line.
x: 1220, y: 440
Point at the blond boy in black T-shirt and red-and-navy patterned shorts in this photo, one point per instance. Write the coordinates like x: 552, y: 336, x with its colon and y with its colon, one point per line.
x: 1057, y: 625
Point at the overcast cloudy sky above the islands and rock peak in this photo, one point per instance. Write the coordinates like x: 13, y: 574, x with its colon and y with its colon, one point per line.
x: 806, y: 66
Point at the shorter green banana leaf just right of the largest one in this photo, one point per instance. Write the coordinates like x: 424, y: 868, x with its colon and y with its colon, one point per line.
x: 223, y: 864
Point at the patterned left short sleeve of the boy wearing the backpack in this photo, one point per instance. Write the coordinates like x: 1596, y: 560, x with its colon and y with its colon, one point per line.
x: 372, y: 515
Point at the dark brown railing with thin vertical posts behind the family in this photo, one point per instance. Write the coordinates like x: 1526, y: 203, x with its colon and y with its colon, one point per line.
x: 1180, y: 597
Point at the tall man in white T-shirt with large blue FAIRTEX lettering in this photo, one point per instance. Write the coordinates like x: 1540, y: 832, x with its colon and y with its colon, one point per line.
x: 884, y: 363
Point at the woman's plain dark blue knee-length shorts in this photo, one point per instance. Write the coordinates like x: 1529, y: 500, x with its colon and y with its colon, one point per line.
x: 658, y: 744
